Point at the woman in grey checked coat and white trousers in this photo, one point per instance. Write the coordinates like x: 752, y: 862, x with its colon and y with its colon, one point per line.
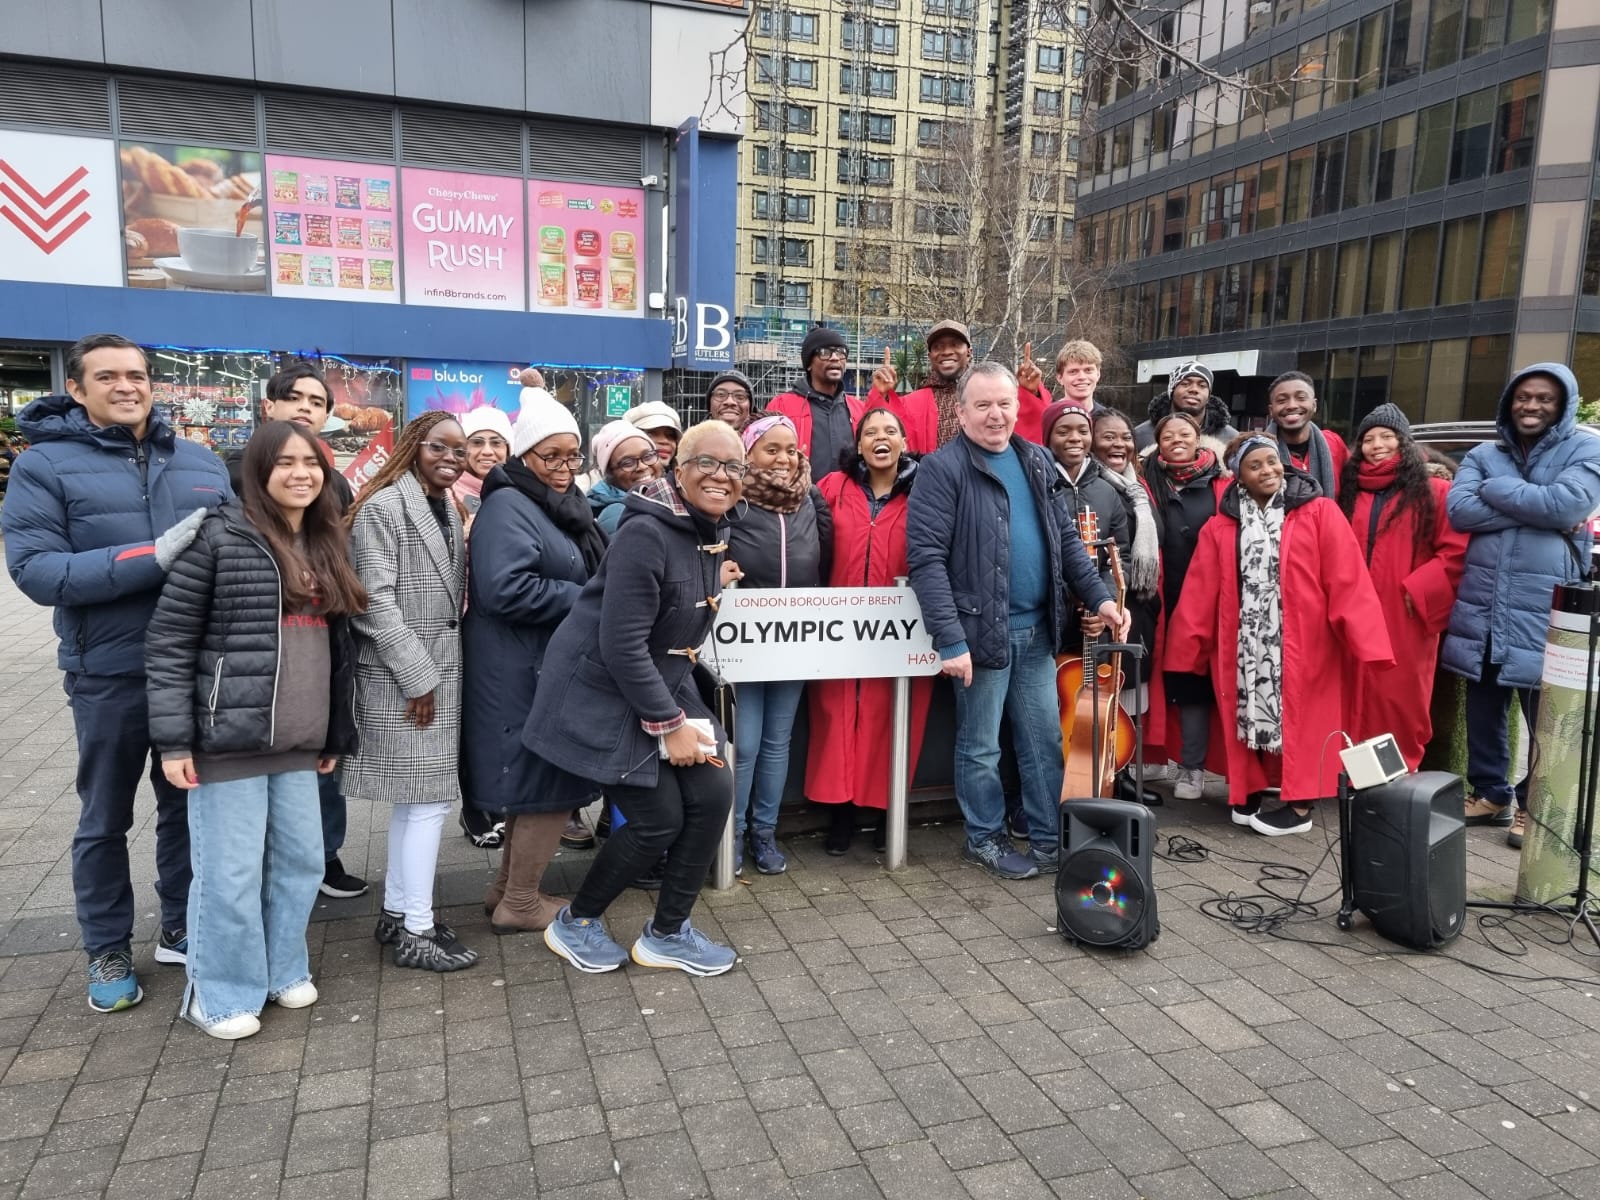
x: 410, y: 554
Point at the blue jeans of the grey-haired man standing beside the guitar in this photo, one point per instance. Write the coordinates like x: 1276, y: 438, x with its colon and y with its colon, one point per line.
x: 1026, y: 692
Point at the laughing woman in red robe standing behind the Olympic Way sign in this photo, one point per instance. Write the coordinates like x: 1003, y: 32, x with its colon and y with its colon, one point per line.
x: 847, y: 759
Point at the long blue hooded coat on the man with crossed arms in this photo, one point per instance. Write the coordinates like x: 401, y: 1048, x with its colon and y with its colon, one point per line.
x: 1527, y: 514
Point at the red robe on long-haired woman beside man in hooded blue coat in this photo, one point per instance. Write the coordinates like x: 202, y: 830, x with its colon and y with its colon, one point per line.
x: 1398, y: 702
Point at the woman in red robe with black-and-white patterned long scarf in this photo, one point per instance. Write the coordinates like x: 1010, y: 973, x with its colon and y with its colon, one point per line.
x: 1276, y: 604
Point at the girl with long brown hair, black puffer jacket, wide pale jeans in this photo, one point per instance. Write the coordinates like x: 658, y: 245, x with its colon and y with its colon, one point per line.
x: 249, y: 678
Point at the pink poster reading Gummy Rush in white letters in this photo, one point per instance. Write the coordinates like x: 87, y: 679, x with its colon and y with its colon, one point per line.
x: 465, y: 242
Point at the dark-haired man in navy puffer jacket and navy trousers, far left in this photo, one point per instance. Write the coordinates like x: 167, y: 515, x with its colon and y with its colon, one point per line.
x: 98, y: 508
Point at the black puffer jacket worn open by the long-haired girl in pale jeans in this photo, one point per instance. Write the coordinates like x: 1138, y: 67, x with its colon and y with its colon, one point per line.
x: 212, y: 652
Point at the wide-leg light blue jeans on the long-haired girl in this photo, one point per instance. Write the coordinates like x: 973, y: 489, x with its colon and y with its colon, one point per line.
x: 258, y: 863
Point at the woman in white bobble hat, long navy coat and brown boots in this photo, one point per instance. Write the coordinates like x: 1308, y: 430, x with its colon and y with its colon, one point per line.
x: 535, y: 545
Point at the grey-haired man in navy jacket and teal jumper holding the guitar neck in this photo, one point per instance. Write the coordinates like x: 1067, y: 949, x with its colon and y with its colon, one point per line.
x: 990, y: 538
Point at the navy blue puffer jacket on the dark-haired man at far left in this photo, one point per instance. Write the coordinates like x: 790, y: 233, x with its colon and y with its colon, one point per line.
x: 84, y: 510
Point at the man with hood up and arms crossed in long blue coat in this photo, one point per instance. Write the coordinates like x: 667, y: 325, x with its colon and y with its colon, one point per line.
x: 1526, y: 500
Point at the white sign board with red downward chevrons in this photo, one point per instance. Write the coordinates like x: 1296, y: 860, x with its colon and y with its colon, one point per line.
x: 60, y: 210
